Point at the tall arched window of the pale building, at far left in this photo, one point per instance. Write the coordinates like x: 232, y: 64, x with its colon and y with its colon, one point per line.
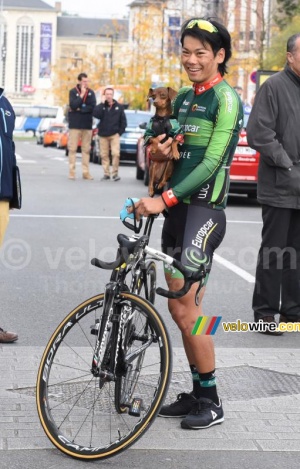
x: 24, y: 54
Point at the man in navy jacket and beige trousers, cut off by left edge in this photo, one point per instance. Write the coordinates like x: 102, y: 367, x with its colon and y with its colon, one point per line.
x: 7, y: 162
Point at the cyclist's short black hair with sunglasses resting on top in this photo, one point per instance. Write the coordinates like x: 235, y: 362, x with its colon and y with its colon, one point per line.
x: 217, y: 40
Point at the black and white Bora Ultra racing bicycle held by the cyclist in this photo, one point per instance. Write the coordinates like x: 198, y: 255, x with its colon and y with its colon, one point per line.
x: 106, y: 369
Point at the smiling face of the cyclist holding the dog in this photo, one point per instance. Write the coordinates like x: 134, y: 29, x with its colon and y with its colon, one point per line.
x: 199, y: 61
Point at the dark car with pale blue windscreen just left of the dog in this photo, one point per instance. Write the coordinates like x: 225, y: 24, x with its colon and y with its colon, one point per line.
x: 136, y: 124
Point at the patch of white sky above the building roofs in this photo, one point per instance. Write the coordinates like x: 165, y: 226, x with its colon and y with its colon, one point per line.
x: 95, y: 8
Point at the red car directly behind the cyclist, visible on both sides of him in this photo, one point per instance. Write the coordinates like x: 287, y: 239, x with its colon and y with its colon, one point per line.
x: 243, y: 171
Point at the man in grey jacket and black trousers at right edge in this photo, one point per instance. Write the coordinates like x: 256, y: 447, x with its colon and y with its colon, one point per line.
x: 273, y: 130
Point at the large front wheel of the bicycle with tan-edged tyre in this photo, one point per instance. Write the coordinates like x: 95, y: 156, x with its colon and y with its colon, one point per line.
x: 78, y: 417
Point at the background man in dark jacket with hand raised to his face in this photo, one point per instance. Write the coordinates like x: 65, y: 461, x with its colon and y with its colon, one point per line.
x: 82, y: 101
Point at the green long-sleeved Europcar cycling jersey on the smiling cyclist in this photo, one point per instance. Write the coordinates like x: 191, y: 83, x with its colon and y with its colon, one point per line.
x: 211, y: 122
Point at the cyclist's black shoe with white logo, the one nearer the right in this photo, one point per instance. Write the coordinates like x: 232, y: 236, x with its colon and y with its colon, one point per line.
x: 204, y: 414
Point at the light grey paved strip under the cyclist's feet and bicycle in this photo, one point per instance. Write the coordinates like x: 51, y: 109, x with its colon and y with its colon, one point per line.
x: 260, y: 389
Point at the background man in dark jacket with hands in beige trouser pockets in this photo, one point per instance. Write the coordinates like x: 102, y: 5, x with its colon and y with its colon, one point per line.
x: 111, y: 126
